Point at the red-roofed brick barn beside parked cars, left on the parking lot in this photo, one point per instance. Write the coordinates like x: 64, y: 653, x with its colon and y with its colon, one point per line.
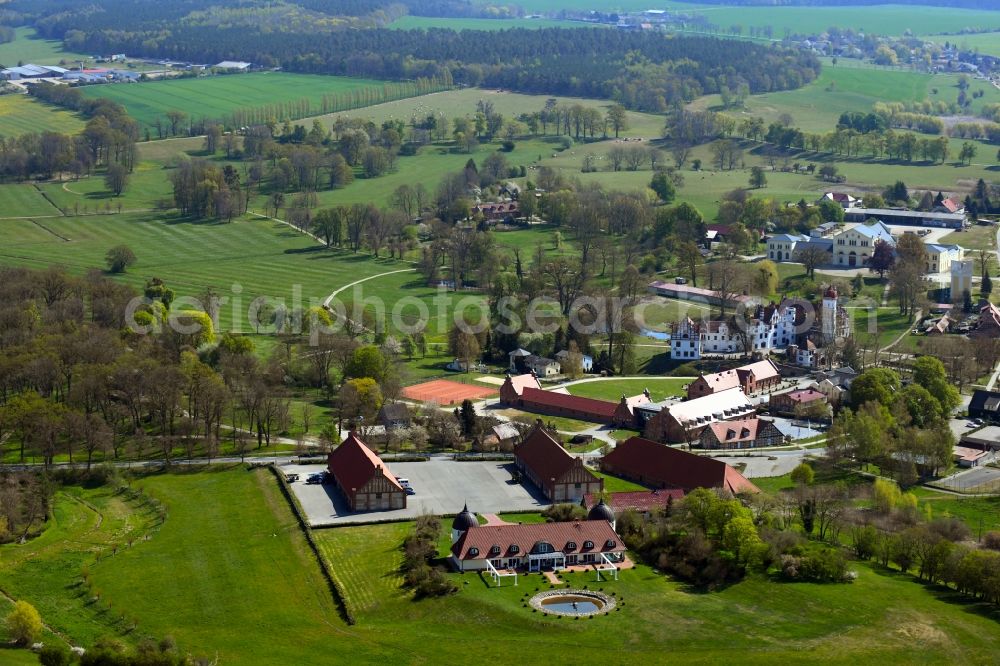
x: 363, y: 478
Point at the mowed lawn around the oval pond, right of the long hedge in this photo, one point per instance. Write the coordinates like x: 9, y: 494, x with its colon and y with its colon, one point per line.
x: 883, y: 616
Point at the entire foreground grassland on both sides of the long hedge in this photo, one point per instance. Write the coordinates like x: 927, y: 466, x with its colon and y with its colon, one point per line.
x: 231, y: 555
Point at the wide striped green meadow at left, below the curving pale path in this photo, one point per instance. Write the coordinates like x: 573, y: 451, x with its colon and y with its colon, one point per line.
x: 262, y: 257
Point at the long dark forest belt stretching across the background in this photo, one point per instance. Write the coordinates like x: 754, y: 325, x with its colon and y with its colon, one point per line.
x: 593, y: 63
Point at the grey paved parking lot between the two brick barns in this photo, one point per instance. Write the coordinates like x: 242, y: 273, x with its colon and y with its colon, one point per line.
x: 442, y: 487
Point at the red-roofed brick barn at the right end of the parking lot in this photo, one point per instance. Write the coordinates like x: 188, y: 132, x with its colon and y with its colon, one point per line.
x: 559, y: 475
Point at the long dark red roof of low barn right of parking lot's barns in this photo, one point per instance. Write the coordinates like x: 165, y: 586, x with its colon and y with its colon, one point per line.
x: 670, y: 467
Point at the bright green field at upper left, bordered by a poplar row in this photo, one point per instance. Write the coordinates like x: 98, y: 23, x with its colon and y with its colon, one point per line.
x: 218, y: 96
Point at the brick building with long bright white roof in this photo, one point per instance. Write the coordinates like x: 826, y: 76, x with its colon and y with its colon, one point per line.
x: 684, y: 421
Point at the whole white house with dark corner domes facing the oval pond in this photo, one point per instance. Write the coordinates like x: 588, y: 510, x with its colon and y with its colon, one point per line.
x: 532, y: 547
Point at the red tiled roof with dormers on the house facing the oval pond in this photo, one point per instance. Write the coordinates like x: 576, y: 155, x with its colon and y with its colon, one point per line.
x: 568, y: 538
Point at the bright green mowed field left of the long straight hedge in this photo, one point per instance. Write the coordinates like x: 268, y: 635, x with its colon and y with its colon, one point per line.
x: 229, y: 573
